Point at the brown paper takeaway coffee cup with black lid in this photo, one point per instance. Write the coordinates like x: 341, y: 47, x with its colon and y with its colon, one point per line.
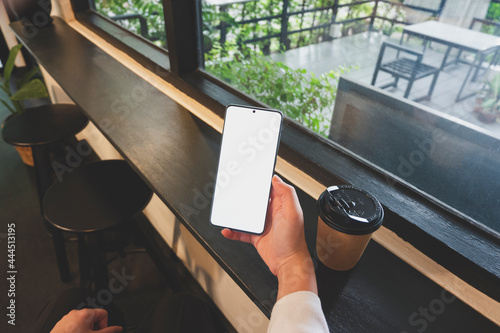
x: 347, y: 218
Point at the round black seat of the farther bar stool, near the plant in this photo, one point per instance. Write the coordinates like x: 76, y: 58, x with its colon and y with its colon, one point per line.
x: 44, y: 125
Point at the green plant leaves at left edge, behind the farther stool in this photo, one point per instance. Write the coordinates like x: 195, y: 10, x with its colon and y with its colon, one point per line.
x: 28, y: 86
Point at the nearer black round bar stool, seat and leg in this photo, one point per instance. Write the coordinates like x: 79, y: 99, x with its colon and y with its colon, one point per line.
x: 93, y: 199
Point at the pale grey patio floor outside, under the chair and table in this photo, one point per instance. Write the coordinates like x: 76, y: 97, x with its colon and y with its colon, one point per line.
x: 360, y: 52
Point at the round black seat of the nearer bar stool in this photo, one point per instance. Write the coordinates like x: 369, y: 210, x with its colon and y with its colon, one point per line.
x: 95, y: 197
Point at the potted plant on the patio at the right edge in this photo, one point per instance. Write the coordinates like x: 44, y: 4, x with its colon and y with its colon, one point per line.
x: 488, y: 100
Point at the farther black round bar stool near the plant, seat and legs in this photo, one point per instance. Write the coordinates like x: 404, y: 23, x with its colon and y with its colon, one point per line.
x: 39, y: 128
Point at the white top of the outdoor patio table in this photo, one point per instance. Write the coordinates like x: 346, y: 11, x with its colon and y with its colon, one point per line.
x: 455, y: 36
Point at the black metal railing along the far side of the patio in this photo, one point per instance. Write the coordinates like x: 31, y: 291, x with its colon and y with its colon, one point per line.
x: 328, y: 9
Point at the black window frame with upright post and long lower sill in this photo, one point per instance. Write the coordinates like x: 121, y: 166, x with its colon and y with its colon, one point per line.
x: 309, y: 152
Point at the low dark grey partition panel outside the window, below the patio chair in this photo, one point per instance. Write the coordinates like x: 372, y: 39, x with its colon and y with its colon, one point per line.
x: 369, y: 129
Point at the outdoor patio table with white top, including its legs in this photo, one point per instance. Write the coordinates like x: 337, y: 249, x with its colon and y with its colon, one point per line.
x: 476, y: 42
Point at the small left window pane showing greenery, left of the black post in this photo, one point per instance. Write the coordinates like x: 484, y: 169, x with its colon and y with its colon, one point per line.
x: 143, y: 17
